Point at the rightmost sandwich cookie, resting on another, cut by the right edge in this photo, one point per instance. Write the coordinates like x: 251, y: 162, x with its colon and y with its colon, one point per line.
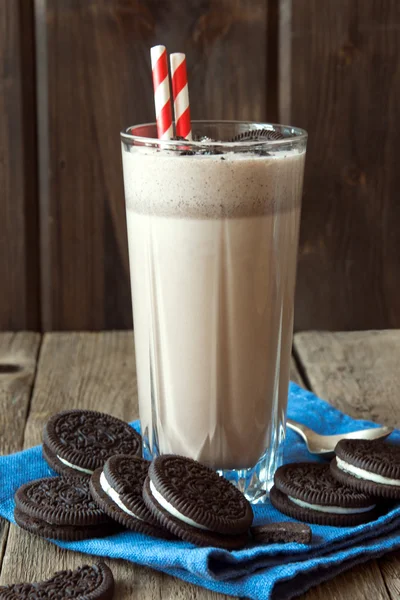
x: 371, y: 466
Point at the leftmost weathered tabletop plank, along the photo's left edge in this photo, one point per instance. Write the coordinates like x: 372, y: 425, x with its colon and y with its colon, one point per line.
x: 18, y: 355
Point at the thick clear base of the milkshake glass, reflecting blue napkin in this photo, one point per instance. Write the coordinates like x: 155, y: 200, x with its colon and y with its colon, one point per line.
x: 256, y: 482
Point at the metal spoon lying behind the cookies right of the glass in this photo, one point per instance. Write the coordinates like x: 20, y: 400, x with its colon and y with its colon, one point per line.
x: 324, y: 445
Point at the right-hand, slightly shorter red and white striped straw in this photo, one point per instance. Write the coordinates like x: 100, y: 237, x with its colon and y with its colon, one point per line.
x: 180, y: 91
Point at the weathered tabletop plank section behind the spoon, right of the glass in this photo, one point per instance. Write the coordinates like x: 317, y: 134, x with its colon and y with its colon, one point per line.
x: 357, y: 372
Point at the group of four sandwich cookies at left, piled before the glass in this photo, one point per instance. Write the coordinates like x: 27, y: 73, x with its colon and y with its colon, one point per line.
x: 105, y: 486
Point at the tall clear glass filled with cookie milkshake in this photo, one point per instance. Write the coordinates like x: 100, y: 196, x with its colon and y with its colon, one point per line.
x: 213, y: 234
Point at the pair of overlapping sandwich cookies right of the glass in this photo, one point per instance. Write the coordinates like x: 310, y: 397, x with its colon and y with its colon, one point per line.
x: 353, y: 489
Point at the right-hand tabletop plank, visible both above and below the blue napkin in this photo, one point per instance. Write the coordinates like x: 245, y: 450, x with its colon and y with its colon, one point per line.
x: 357, y: 373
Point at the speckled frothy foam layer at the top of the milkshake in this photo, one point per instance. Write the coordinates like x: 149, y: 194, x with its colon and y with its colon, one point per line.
x: 232, y: 185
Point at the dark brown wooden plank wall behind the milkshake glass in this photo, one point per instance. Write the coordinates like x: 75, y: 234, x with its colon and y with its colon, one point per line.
x: 74, y: 72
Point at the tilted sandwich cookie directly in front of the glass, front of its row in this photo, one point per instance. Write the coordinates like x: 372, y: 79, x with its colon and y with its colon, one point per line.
x: 196, y: 504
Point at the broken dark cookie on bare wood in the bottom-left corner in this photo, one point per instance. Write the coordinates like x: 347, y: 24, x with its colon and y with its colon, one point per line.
x: 94, y: 582
